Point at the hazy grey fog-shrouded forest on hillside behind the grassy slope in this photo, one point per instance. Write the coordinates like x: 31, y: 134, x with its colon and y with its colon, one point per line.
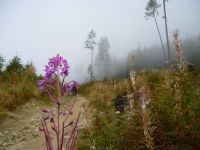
x: 145, y: 58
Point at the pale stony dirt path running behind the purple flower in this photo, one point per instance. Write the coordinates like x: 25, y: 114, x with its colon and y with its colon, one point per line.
x: 21, y: 131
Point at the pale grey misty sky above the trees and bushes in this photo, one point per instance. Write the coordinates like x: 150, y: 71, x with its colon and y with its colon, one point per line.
x: 38, y: 29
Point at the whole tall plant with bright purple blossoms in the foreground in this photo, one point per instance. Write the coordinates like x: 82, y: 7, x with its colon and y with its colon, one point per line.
x: 56, y: 123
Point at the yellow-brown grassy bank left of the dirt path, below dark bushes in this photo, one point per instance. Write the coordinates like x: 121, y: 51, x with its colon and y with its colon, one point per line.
x: 13, y: 94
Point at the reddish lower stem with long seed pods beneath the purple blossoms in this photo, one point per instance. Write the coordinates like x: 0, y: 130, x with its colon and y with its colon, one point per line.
x: 59, y: 128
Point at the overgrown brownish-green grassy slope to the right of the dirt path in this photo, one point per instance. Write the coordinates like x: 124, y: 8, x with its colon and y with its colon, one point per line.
x: 174, y: 109
